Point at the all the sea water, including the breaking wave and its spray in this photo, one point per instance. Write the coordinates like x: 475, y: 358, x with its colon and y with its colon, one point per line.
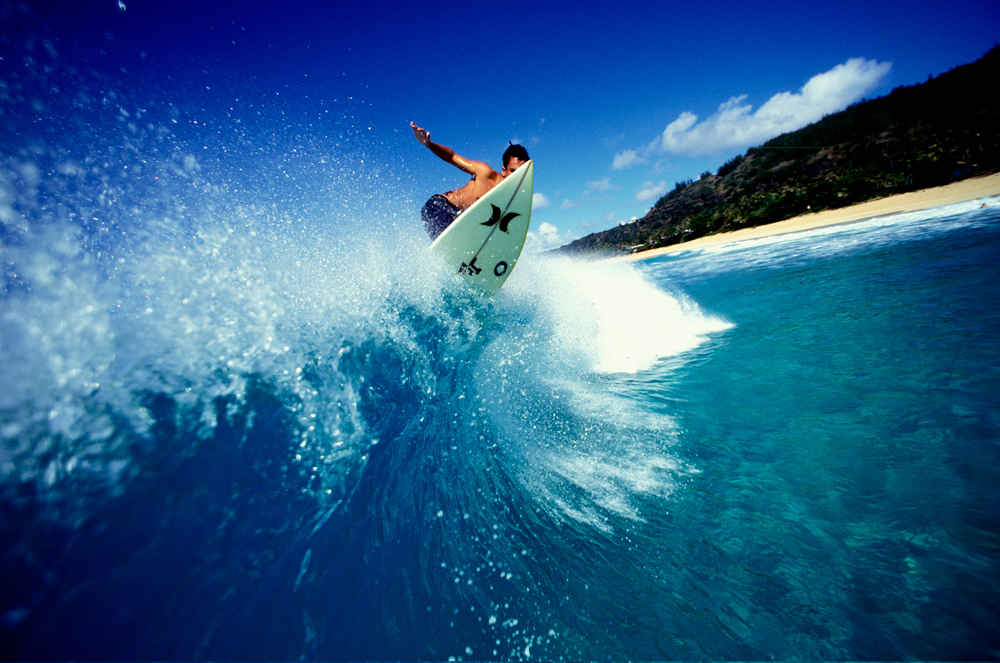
x: 233, y: 426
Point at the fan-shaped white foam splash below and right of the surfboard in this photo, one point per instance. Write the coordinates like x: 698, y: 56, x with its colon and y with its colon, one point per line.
x: 587, y: 449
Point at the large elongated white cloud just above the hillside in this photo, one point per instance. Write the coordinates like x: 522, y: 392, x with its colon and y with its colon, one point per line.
x: 735, y: 125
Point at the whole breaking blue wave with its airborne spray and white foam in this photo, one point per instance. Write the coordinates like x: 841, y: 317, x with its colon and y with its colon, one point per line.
x: 246, y: 370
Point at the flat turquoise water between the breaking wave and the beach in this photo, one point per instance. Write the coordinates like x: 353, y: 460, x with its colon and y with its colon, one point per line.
x: 850, y: 416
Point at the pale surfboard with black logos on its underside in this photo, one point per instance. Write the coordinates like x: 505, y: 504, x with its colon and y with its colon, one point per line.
x: 485, y: 241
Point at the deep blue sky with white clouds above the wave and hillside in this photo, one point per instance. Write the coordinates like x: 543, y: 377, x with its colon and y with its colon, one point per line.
x: 614, y: 103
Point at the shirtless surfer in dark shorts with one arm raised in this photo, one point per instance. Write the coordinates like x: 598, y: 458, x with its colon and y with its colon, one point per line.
x: 442, y: 208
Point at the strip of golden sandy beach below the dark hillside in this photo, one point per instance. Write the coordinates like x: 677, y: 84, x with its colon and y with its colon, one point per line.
x: 957, y: 192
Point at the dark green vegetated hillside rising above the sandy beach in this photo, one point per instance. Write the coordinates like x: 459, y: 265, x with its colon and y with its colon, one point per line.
x: 918, y: 136
